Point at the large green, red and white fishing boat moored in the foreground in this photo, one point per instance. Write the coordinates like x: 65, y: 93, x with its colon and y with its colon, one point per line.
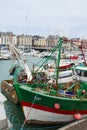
x: 45, y: 102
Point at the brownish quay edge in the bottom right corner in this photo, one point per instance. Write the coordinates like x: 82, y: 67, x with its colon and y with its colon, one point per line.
x: 77, y: 125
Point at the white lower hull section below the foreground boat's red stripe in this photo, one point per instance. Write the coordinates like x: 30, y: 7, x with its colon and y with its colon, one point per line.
x: 37, y: 116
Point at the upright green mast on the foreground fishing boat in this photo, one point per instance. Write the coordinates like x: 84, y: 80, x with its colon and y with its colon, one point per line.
x: 58, y: 58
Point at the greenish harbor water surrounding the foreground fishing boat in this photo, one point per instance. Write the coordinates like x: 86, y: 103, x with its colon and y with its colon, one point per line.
x: 14, y: 112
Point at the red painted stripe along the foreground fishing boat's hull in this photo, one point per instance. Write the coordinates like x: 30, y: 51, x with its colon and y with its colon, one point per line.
x: 53, y: 110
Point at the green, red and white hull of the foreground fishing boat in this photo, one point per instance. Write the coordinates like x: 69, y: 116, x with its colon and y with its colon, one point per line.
x: 39, y: 107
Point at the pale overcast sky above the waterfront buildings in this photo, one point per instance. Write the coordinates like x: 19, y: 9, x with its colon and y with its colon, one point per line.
x: 44, y: 17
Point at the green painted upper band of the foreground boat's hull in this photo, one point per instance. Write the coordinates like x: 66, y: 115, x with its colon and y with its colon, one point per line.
x: 28, y: 94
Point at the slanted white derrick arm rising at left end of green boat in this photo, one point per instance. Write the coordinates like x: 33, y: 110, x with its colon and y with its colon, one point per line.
x: 16, y: 55
